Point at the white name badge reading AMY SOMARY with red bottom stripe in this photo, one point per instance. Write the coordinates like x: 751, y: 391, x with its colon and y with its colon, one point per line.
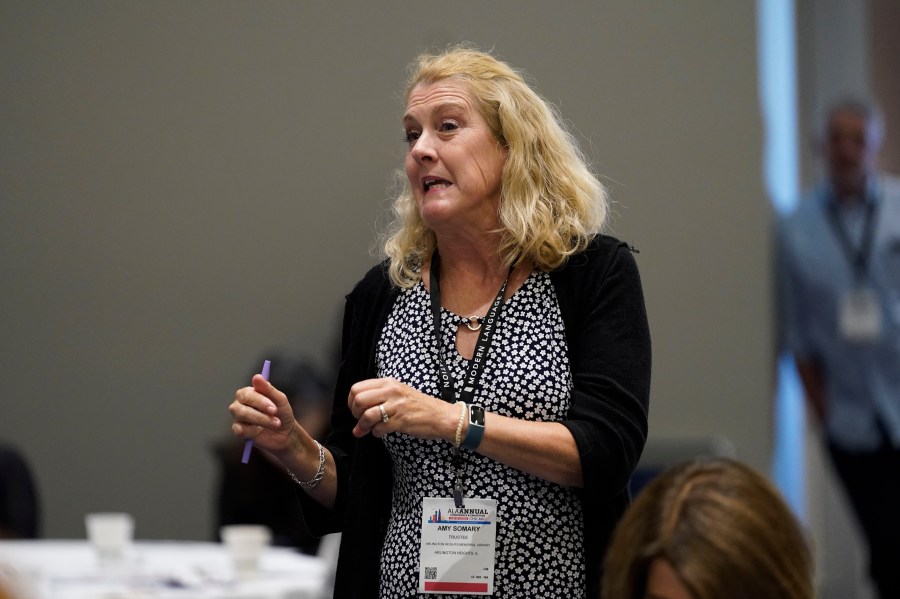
x: 458, y: 545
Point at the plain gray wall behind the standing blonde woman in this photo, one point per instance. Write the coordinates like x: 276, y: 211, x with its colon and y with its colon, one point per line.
x: 185, y: 184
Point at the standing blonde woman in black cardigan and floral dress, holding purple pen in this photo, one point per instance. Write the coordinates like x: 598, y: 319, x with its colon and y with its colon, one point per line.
x: 499, y: 358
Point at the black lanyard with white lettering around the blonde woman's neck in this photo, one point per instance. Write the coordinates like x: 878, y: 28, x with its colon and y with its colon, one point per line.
x: 476, y: 364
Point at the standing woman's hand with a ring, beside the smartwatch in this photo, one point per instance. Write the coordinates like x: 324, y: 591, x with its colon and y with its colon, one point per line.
x: 383, y: 406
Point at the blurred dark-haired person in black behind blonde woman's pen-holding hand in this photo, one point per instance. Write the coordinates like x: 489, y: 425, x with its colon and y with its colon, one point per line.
x: 260, y: 492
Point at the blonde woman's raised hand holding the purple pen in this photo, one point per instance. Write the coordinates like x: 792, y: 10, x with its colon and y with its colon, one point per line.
x: 263, y: 413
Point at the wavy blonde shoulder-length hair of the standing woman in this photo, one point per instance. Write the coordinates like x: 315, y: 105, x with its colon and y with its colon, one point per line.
x: 551, y: 203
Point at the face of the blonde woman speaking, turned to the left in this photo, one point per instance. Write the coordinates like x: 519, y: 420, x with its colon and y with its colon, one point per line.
x: 453, y: 162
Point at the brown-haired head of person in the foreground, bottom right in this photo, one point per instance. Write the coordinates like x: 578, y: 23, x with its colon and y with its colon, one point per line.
x: 708, y: 529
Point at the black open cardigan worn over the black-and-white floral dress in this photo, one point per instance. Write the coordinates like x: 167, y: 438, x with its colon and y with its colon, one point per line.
x: 602, y: 305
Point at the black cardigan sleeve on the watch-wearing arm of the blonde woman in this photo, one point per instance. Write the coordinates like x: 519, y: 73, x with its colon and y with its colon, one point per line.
x: 602, y: 302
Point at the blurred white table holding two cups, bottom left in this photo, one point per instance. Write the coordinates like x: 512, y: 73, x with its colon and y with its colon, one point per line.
x: 62, y: 569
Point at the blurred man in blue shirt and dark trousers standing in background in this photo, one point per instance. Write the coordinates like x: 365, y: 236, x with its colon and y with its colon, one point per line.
x: 839, y: 302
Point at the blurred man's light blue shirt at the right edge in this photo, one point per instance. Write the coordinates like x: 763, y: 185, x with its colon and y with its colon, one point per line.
x: 815, y: 273
